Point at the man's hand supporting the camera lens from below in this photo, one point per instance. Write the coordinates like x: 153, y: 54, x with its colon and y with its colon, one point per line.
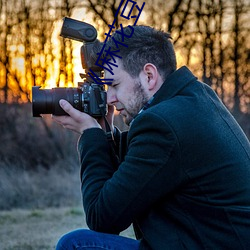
x: 76, y: 121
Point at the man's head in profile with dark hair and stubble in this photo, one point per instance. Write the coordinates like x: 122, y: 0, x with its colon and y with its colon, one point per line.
x: 143, y: 66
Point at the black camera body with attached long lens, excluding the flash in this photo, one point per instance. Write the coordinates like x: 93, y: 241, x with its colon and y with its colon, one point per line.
x: 88, y: 98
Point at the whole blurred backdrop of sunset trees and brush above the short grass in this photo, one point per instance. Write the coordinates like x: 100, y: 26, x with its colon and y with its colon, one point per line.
x: 38, y: 159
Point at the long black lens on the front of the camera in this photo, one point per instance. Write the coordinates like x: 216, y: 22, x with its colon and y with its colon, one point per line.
x: 46, y: 101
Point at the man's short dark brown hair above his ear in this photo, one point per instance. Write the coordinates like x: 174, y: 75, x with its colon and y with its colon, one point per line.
x: 146, y: 45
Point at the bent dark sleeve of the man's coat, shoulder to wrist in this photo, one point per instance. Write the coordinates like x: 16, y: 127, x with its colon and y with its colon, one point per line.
x: 112, y: 198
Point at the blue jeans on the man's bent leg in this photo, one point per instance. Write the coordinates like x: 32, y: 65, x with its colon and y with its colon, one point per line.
x: 87, y: 239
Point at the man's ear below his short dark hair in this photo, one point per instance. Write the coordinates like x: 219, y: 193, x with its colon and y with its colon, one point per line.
x: 152, y: 75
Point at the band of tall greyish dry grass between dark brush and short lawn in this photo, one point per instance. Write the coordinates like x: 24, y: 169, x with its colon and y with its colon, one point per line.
x: 41, y: 188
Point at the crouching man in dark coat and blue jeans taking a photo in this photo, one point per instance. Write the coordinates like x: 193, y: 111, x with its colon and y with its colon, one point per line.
x: 183, y: 178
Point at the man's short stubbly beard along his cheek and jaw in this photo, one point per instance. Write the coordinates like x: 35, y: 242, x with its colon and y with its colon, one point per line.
x: 136, y: 102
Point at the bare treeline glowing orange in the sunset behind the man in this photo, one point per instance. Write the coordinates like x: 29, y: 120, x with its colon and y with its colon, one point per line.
x: 211, y: 37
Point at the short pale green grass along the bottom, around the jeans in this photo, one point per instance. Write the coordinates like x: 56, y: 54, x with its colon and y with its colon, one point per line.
x: 40, y: 229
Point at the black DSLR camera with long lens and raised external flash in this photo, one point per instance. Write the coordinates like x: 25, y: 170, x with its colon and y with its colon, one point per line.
x: 89, y: 97
